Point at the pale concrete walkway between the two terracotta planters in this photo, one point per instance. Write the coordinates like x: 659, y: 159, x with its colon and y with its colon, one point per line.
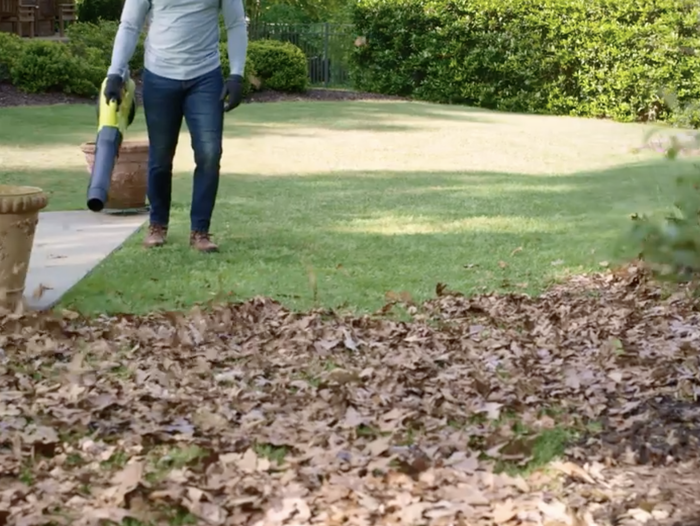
x: 68, y: 245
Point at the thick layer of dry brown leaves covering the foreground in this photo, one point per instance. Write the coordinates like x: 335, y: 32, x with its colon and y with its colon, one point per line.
x: 251, y: 414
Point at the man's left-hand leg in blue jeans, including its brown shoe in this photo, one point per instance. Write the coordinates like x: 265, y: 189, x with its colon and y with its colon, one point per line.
x: 163, y: 108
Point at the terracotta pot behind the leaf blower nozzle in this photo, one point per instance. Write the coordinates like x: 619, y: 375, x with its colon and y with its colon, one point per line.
x: 128, y: 186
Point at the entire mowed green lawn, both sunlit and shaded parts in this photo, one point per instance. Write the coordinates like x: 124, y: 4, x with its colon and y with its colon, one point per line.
x: 341, y: 204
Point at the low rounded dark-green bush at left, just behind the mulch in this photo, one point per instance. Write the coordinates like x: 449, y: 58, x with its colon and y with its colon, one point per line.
x: 44, y: 66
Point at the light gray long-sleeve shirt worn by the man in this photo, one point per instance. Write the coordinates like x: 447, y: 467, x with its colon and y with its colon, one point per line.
x: 183, y: 36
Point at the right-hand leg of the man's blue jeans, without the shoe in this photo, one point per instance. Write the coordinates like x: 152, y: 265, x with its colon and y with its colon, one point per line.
x: 204, y: 115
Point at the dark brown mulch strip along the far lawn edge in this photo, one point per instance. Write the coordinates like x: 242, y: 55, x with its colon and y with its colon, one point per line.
x: 11, y: 96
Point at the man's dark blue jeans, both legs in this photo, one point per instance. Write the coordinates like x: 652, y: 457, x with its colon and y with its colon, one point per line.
x: 165, y: 103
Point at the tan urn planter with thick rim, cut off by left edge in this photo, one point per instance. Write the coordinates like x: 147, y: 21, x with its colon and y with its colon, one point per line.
x: 19, y: 215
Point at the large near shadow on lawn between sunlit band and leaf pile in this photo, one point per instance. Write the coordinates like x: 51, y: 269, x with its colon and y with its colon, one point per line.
x: 346, y: 240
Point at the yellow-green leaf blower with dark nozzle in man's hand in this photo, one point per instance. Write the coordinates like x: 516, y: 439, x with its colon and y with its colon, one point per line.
x: 112, y: 121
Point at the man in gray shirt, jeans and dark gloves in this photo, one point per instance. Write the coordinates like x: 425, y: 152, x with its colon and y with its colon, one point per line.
x: 182, y: 78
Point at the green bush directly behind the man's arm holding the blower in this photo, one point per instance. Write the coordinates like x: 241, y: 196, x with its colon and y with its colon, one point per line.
x: 94, y: 42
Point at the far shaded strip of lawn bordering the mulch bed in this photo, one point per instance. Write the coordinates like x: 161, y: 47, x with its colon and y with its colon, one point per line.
x: 73, y: 124
